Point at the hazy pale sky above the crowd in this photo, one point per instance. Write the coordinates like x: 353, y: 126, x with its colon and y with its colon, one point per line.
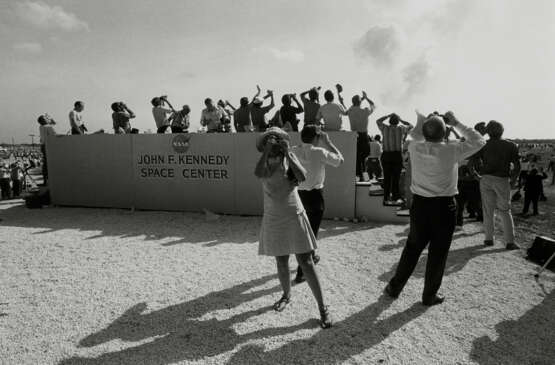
x: 487, y: 59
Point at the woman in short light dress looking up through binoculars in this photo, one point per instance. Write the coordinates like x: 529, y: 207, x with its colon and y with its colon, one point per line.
x: 285, y: 227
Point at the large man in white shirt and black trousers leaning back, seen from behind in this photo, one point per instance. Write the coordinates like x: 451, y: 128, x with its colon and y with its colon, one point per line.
x: 433, y: 212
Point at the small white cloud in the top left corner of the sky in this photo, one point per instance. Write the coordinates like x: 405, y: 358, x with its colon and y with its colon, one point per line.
x: 42, y: 15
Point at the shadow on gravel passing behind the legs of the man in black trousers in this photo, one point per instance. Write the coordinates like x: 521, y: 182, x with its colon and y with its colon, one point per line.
x: 456, y: 261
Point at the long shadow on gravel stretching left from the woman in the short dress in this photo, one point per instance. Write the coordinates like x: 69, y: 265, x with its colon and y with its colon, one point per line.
x: 177, y: 333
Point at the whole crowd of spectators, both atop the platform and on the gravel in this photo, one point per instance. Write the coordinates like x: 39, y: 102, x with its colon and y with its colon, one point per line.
x: 436, y: 168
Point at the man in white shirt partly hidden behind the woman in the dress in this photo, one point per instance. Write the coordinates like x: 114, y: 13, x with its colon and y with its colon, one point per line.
x: 314, y: 159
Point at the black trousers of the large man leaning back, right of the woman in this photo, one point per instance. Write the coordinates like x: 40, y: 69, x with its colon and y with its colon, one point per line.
x: 432, y: 221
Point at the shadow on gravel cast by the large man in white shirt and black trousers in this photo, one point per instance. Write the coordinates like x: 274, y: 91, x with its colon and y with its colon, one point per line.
x: 347, y: 338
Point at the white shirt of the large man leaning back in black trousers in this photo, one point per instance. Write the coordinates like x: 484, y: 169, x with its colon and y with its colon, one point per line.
x: 435, y: 165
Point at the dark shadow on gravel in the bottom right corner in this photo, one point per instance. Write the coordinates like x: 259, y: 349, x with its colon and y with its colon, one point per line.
x: 529, y: 339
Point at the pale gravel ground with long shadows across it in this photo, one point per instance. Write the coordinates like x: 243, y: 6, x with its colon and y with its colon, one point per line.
x: 107, y: 286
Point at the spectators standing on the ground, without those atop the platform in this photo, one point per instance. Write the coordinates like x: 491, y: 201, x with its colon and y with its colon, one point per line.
x: 445, y: 177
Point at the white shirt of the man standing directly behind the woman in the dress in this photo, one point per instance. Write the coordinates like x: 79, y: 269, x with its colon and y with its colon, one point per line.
x: 314, y: 160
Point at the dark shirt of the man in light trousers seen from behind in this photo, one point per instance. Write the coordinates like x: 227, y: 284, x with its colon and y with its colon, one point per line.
x: 497, y: 156
